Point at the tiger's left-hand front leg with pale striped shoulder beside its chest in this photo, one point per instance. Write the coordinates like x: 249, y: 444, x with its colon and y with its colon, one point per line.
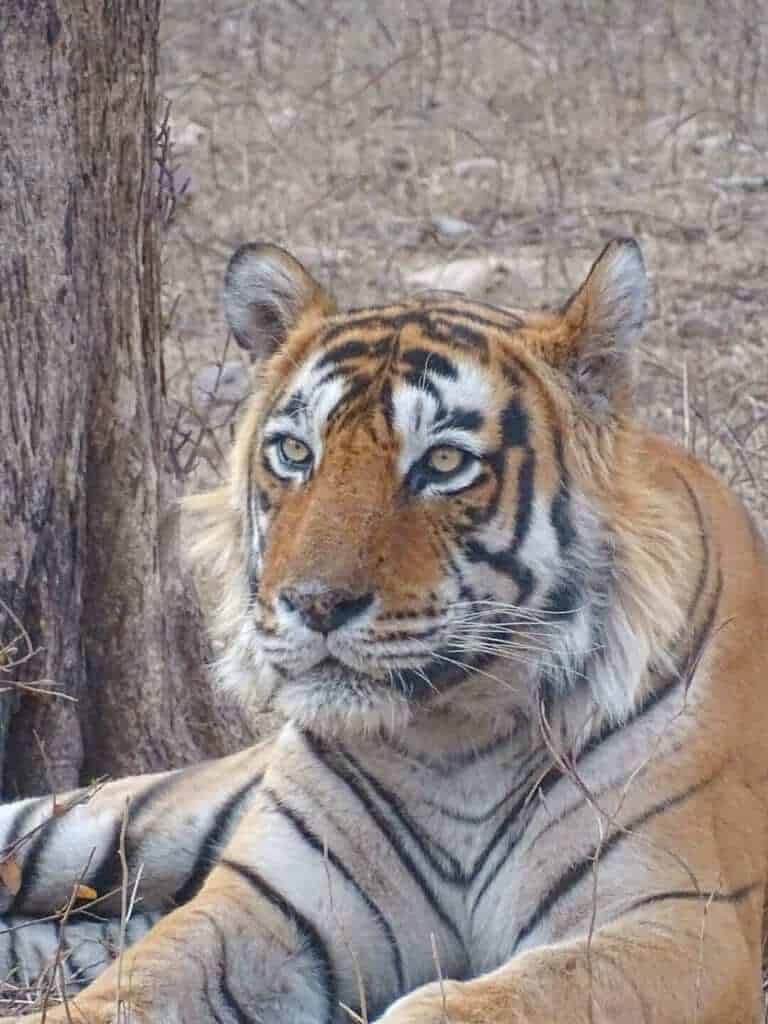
x: 306, y: 913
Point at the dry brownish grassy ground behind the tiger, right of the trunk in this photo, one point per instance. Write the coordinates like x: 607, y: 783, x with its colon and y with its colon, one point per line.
x: 378, y: 139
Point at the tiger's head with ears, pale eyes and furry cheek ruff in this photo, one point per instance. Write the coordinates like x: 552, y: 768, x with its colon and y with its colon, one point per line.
x: 435, y: 499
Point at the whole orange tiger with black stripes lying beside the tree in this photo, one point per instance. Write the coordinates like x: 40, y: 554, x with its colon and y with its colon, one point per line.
x: 520, y: 645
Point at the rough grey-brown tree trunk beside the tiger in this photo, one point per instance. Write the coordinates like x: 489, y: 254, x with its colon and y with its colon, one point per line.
x: 86, y: 483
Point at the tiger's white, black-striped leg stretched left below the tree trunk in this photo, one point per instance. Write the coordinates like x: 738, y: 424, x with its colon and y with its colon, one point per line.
x: 170, y: 828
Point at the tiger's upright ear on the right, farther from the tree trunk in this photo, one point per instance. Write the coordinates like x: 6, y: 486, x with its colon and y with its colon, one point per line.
x: 603, y: 322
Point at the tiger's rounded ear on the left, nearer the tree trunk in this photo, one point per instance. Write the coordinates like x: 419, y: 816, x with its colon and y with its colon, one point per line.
x: 267, y: 293
